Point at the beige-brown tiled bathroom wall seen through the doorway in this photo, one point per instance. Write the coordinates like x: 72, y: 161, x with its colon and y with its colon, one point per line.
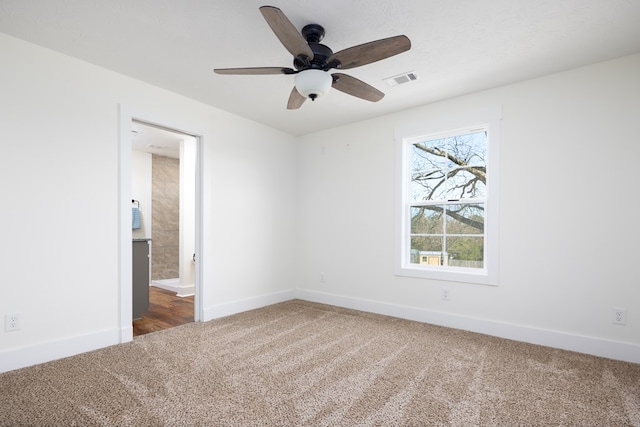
x: 165, y: 236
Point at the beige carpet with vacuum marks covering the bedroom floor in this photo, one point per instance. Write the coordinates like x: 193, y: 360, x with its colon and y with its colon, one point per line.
x: 304, y: 364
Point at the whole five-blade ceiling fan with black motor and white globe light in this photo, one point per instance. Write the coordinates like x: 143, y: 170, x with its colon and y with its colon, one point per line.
x: 313, y: 60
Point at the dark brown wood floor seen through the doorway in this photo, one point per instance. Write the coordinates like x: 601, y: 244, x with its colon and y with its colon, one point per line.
x: 166, y: 310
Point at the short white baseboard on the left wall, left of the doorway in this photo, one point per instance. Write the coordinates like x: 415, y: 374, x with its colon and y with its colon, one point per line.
x: 52, y: 350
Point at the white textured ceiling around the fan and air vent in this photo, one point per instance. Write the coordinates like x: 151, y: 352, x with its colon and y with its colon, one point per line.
x: 458, y: 46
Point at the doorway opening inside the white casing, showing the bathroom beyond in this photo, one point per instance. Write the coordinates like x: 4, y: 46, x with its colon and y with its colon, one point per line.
x: 163, y: 180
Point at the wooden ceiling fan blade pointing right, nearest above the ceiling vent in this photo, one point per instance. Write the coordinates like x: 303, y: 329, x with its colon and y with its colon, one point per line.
x: 369, y: 52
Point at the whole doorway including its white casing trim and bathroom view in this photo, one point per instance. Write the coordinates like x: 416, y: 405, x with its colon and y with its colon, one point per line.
x: 174, y: 299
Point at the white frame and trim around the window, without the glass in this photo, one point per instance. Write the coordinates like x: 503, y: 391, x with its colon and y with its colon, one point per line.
x: 488, y: 118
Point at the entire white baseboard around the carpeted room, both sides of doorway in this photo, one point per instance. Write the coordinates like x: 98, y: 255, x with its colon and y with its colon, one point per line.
x: 52, y: 350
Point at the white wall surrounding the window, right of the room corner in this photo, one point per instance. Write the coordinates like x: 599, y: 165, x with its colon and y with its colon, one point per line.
x: 568, y: 215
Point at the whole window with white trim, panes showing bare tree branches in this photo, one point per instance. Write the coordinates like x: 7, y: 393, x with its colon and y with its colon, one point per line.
x: 447, y: 221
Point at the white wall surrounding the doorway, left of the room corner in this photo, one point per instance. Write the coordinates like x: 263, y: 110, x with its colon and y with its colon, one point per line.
x: 59, y: 180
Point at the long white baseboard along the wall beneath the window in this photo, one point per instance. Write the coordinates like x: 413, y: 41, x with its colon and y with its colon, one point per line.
x: 595, y: 346
